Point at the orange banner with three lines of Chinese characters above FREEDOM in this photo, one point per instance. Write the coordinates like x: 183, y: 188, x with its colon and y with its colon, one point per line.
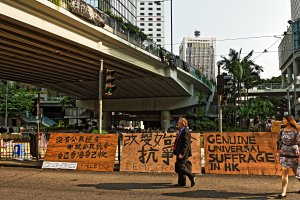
x: 92, y: 152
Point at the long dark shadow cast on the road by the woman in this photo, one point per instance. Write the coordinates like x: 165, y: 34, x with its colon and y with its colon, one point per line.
x: 221, y: 194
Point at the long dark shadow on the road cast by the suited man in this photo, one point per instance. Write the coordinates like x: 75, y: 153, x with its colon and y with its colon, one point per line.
x: 128, y: 186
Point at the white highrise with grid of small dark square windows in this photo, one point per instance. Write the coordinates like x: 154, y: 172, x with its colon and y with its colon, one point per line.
x: 150, y: 19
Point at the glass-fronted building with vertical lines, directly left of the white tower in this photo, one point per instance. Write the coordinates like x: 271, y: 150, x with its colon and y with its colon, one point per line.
x: 122, y: 8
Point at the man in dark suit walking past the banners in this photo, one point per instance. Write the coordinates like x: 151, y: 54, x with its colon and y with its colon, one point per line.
x: 183, y: 150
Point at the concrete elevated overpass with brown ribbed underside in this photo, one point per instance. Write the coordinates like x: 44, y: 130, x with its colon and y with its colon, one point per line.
x: 62, y: 47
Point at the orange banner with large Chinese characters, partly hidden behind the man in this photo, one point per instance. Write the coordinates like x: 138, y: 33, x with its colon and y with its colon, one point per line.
x: 153, y: 152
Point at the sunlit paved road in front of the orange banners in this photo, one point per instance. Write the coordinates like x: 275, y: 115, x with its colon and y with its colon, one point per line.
x: 31, y: 184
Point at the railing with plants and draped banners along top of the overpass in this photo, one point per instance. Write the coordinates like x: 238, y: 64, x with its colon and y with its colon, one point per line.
x: 99, y: 18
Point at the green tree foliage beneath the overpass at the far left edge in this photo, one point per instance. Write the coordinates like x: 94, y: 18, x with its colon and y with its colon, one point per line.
x: 19, y: 100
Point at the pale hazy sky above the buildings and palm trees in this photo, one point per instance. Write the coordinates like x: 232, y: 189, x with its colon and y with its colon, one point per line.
x: 261, y: 21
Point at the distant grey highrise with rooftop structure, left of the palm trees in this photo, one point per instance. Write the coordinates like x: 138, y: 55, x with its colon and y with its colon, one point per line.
x: 200, y: 53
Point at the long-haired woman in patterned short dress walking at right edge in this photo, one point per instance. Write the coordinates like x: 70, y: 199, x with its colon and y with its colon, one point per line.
x: 288, y: 145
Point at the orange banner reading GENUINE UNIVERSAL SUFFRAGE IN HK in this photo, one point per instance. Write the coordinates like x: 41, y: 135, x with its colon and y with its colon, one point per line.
x: 241, y: 153
